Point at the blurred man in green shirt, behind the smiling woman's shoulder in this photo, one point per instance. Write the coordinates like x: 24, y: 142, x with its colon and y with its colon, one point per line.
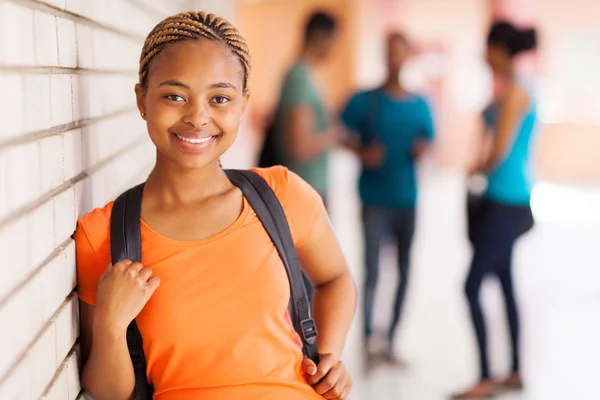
x: 304, y: 133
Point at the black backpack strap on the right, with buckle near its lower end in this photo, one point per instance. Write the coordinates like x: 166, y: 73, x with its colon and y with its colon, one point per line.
x: 268, y: 209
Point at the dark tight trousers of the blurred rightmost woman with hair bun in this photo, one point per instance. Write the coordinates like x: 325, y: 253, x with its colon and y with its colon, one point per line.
x: 494, y: 228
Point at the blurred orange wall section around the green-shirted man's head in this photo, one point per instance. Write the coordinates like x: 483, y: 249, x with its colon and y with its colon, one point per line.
x: 274, y: 30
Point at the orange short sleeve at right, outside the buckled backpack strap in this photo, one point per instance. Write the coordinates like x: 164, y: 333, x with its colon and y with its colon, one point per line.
x: 301, y: 203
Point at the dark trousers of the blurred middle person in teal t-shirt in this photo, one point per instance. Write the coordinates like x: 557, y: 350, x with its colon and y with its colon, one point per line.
x: 380, y: 223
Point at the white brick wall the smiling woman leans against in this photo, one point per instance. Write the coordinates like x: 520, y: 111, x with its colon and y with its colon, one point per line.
x: 71, y: 139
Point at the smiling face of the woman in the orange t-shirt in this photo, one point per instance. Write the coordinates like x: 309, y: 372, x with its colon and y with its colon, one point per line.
x: 193, y: 102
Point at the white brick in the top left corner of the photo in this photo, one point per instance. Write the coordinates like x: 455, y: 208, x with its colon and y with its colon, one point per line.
x: 16, y: 49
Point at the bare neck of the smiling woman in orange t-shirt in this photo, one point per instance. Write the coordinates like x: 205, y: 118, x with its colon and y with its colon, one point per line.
x: 173, y: 184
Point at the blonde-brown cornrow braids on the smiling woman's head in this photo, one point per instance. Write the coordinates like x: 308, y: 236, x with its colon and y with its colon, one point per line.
x: 190, y: 26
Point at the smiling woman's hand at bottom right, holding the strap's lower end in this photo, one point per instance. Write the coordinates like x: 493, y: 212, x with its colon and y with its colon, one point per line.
x: 330, y: 378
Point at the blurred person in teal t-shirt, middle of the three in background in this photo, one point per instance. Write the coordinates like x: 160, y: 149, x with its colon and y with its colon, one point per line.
x: 392, y: 127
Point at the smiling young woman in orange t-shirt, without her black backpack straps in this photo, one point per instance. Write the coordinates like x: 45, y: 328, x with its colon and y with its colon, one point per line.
x: 211, y: 294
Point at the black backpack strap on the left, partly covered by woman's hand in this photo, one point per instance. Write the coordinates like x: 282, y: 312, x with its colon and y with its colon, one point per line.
x: 126, y: 243
